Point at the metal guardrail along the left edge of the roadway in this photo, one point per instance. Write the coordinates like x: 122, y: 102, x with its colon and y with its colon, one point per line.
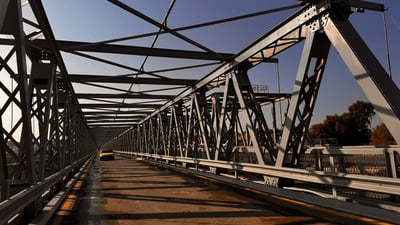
x: 14, y: 205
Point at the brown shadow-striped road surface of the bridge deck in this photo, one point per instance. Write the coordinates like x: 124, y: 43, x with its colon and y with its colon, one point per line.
x: 126, y: 191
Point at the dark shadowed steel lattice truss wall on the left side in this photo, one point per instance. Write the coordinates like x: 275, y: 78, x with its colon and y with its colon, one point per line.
x: 41, y: 142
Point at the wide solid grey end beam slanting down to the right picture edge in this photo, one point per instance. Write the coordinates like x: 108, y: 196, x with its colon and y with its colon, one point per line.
x: 373, y: 79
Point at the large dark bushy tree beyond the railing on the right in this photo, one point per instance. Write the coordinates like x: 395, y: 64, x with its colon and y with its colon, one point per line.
x: 350, y: 128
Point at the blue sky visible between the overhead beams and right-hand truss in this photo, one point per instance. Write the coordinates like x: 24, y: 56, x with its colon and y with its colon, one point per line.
x: 96, y: 20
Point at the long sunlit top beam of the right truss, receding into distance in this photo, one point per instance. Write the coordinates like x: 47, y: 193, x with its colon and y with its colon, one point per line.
x: 288, y: 33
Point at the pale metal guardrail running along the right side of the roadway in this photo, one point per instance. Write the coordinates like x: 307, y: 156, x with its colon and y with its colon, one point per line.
x: 387, y: 185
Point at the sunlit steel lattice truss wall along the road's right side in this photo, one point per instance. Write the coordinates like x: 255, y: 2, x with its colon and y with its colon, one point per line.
x: 229, y: 126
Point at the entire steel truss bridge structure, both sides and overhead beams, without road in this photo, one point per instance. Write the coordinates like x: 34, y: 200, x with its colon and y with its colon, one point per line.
x: 214, y: 124
